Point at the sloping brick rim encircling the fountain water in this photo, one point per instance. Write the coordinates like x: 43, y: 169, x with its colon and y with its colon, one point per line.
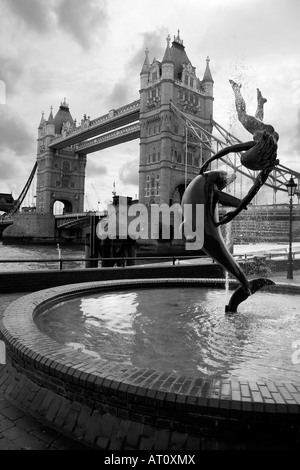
x: 37, y: 352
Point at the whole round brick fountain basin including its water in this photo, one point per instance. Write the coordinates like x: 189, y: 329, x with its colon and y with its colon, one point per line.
x: 114, y: 399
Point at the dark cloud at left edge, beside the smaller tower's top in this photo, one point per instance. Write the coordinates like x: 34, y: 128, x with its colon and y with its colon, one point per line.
x: 14, y: 133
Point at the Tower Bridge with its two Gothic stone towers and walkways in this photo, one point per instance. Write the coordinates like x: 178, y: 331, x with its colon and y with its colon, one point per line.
x: 173, y: 120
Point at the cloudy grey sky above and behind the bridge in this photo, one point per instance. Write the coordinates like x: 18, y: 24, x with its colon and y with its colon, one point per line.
x: 91, y: 53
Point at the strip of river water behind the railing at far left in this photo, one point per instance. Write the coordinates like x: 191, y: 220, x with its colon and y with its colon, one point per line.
x: 33, y: 252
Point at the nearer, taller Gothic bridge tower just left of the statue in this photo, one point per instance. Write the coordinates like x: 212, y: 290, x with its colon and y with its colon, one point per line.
x: 170, y: 156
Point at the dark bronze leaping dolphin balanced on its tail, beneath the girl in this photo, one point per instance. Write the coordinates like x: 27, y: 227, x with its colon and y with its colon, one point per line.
x: 206, y: 189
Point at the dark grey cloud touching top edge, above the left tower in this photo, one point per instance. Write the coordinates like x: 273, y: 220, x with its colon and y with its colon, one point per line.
x: 82, y: 18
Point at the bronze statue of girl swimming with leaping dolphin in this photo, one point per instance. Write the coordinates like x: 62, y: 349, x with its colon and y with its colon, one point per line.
x: 207, y: 189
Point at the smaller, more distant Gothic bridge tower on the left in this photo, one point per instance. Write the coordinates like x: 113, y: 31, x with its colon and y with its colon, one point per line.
x: 60, y: 173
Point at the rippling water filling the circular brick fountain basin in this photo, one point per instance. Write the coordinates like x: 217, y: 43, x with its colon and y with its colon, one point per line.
x: 184, y: 330
